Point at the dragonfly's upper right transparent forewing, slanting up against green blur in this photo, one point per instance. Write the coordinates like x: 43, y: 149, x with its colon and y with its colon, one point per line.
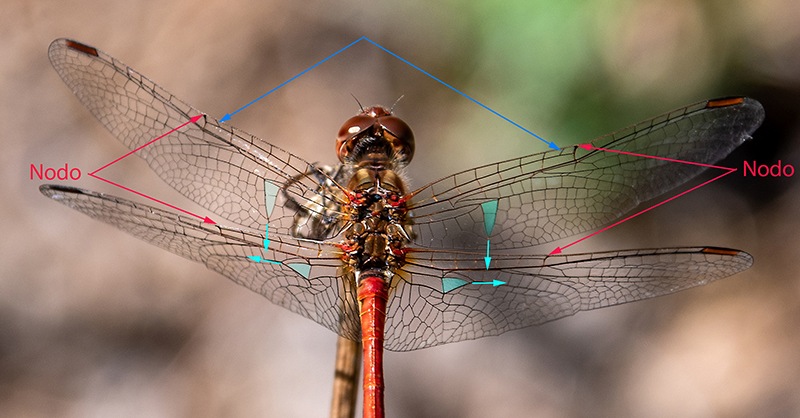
x: 544, y: 197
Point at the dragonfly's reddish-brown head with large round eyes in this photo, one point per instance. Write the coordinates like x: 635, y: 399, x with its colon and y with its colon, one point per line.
x: 375, y: 130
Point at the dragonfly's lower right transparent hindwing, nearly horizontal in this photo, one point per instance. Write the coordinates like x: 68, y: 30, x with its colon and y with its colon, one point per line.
x: 443, y: 297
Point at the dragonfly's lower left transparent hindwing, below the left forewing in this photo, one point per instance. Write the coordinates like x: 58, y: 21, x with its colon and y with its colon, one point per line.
x: 301, y: 276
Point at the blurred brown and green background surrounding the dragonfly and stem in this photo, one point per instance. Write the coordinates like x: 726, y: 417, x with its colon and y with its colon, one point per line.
x: 94, y: 323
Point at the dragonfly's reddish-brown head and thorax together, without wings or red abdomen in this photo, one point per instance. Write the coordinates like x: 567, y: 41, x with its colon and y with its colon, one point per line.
x: 373, y: 145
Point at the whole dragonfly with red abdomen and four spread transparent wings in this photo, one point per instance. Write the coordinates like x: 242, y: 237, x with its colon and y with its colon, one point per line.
x: 353, y: 248
